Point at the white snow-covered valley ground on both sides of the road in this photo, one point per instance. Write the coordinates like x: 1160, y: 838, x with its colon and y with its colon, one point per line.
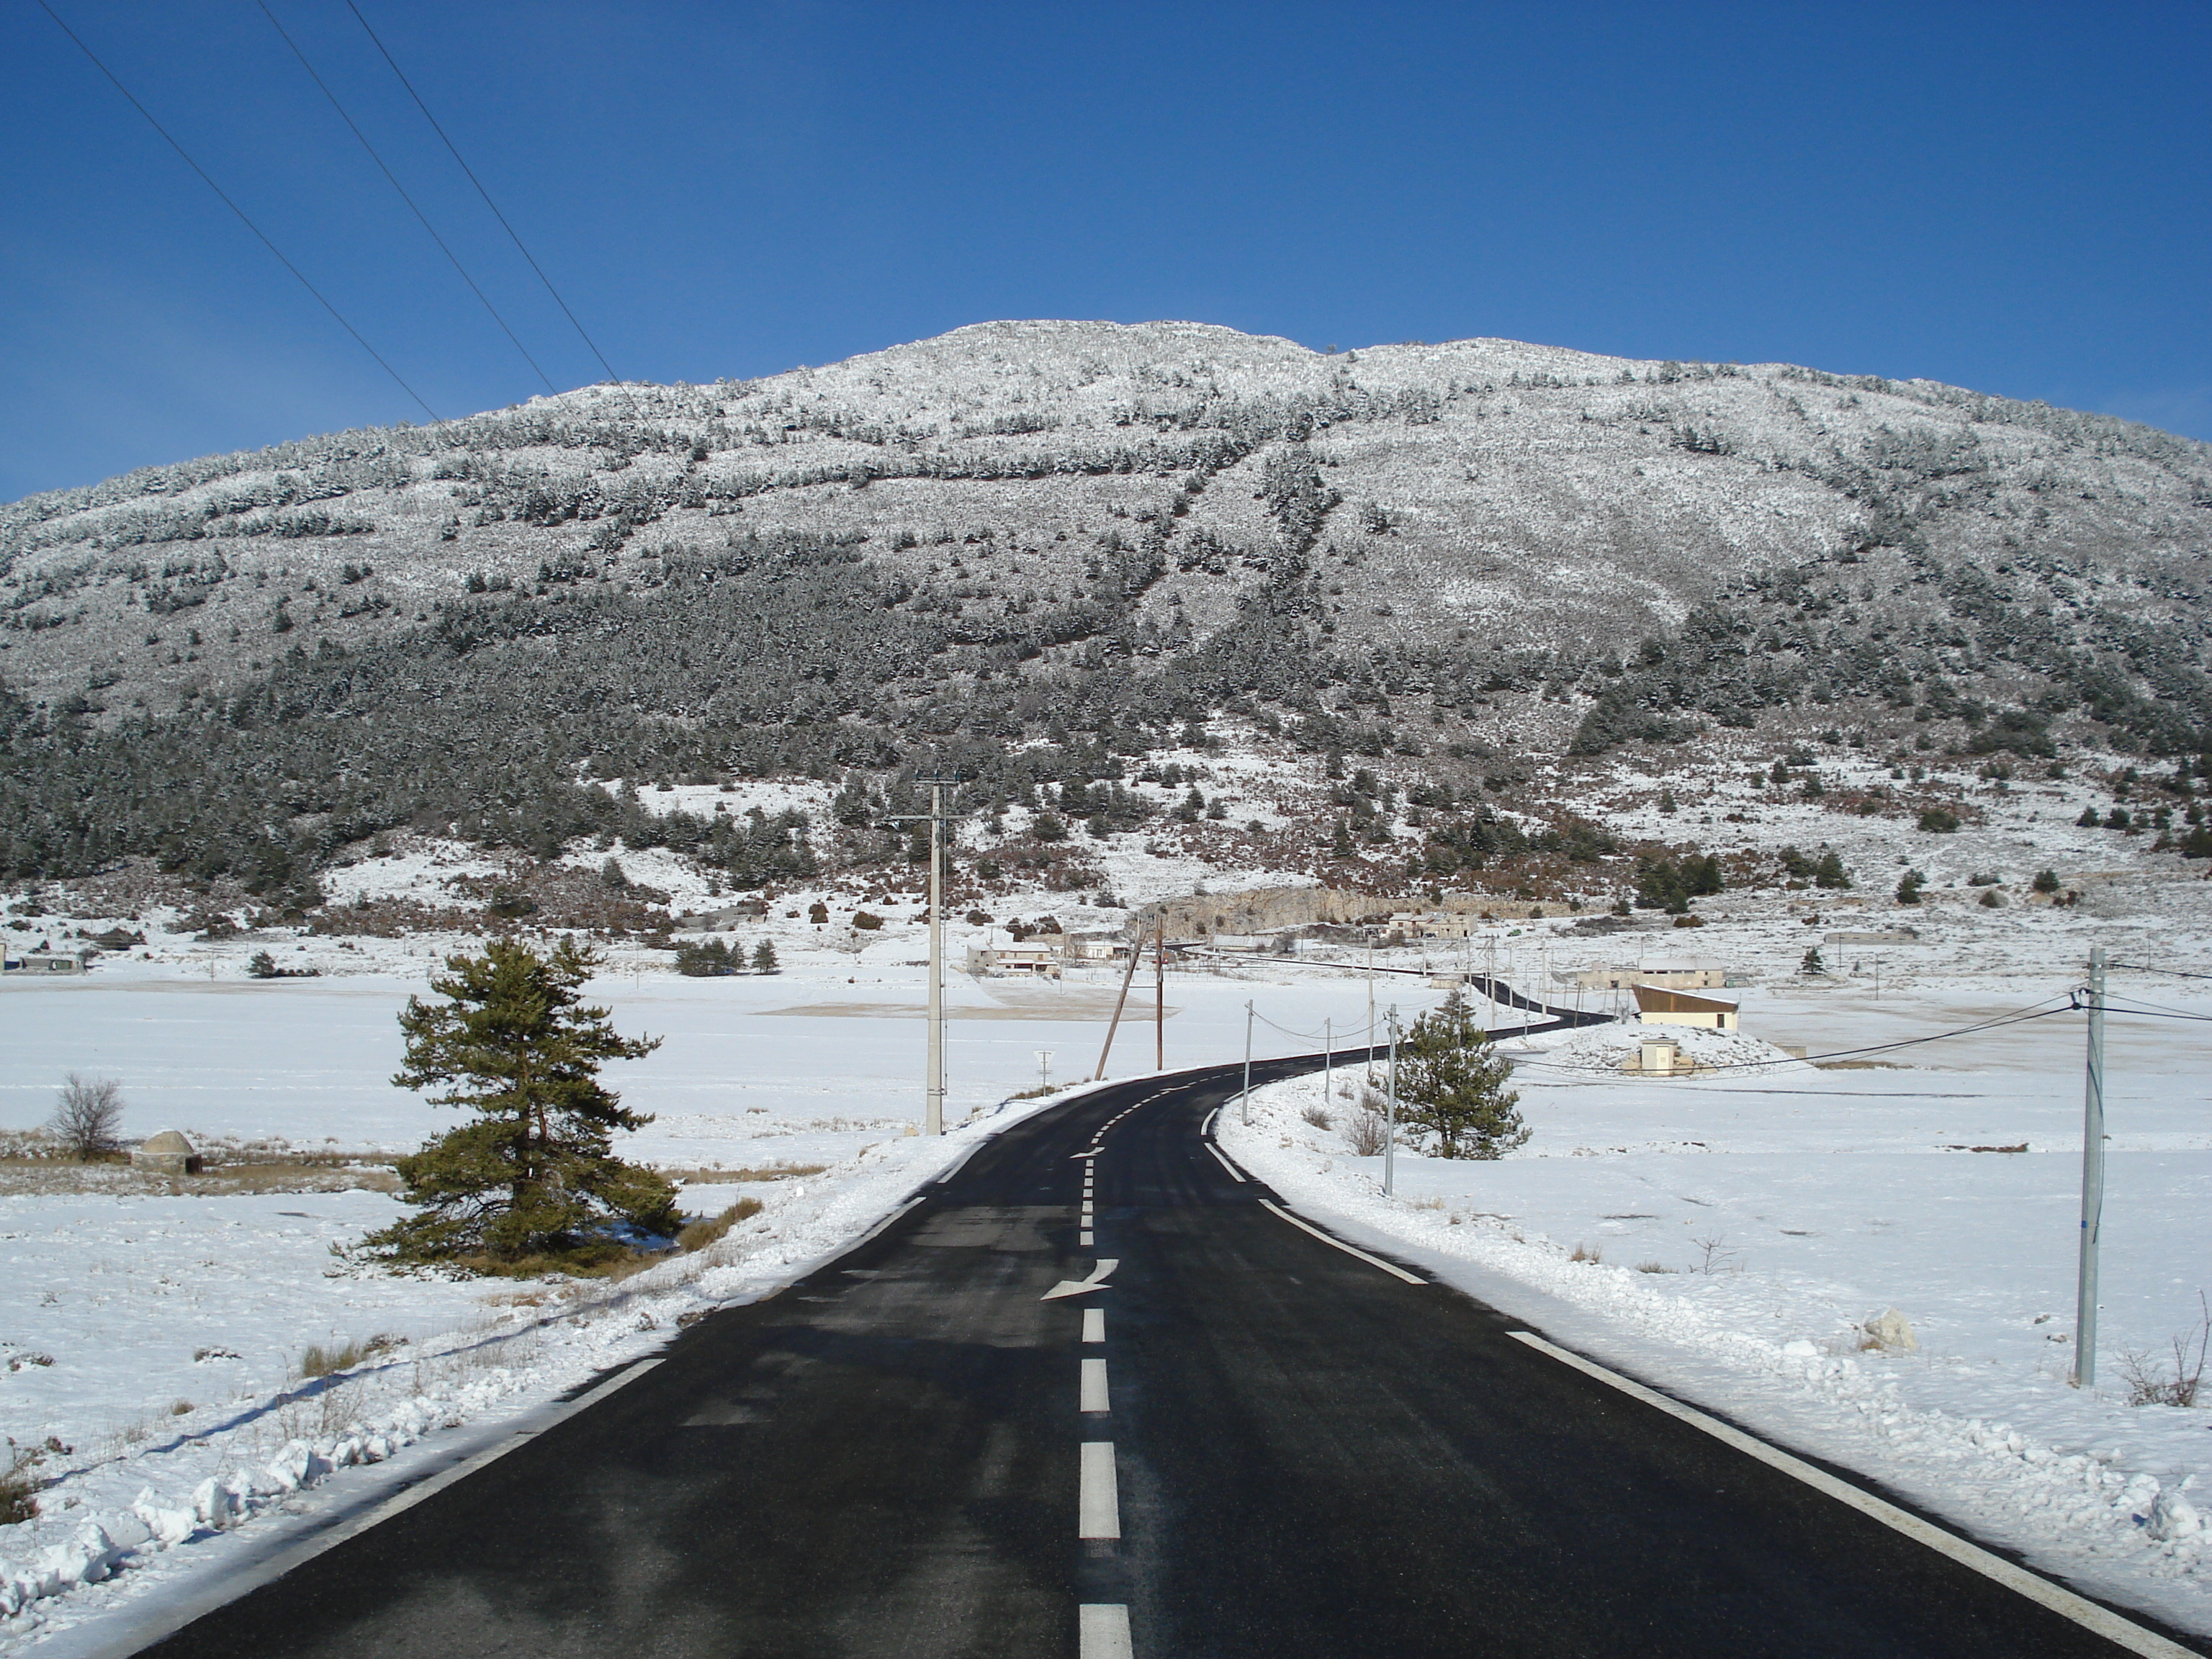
x: 1817, y: 1198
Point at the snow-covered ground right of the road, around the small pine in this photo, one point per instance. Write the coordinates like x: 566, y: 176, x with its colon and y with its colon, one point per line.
x: 1740, y: 1231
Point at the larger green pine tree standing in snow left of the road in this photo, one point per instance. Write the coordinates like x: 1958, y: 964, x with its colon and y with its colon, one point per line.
x: 534, y: 1176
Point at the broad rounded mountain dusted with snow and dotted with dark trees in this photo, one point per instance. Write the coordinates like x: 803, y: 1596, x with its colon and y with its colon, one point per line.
x: 1092, y: 536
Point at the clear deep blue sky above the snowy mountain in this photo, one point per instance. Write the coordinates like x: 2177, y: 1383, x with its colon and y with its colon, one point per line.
x: 2010, y: 198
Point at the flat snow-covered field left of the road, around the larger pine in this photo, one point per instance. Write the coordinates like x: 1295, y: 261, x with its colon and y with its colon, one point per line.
x: 154, y: 1342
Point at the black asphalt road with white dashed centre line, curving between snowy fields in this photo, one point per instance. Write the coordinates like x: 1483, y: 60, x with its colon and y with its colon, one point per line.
x: 1096, y: 1392
